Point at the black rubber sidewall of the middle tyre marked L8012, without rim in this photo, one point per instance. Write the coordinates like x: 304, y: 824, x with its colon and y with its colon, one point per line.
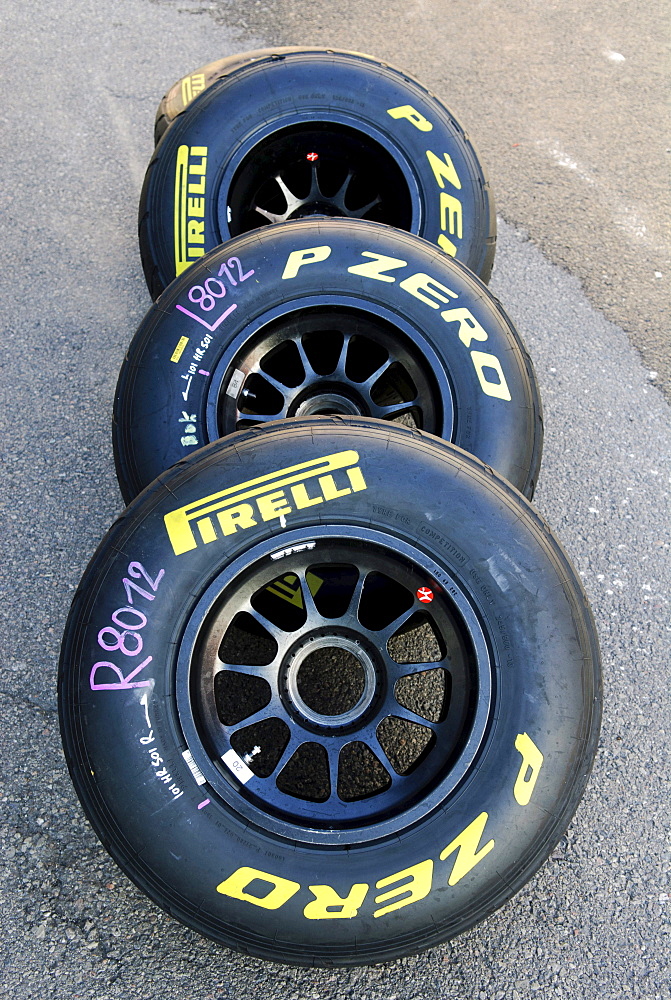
x: 174, y: 365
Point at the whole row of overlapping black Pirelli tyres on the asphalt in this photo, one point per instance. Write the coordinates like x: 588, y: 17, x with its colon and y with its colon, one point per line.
x: 330, y: 687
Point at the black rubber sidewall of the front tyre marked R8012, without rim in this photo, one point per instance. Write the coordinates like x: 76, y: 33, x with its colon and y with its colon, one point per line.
x: 544, y: 671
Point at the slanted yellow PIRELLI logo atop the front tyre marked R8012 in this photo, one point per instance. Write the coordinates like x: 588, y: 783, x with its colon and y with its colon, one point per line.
x: 264, y: 499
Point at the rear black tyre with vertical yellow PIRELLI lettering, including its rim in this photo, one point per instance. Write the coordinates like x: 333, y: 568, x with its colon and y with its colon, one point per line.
x: 306, y: 133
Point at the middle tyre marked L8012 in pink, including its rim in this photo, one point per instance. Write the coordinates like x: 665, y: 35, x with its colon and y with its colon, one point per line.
x: 328, y: 316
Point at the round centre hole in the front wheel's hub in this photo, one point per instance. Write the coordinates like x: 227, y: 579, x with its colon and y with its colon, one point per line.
x: 330, y: 681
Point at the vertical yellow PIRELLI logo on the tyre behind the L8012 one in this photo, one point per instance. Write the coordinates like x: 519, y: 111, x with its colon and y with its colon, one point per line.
x: 189, y: 220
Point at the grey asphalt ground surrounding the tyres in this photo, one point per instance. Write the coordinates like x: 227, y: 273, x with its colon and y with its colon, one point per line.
x: 566, y: 109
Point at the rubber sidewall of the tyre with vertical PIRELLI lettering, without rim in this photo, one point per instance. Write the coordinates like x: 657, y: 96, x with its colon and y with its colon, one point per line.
x: 230, y: 116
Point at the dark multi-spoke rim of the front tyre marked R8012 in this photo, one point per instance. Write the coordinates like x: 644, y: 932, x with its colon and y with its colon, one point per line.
x: 342, y: 733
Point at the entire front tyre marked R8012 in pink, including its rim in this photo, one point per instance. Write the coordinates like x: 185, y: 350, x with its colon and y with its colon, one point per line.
x: 329, y: 691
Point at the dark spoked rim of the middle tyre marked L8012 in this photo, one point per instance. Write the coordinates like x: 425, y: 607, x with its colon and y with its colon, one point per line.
x: 330, y: 360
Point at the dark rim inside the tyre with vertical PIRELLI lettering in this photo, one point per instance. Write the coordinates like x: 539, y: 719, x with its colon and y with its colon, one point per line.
x: 317, y: 168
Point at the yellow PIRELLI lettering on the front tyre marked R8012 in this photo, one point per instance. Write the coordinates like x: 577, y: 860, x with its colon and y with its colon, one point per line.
x: 232, y: 512
